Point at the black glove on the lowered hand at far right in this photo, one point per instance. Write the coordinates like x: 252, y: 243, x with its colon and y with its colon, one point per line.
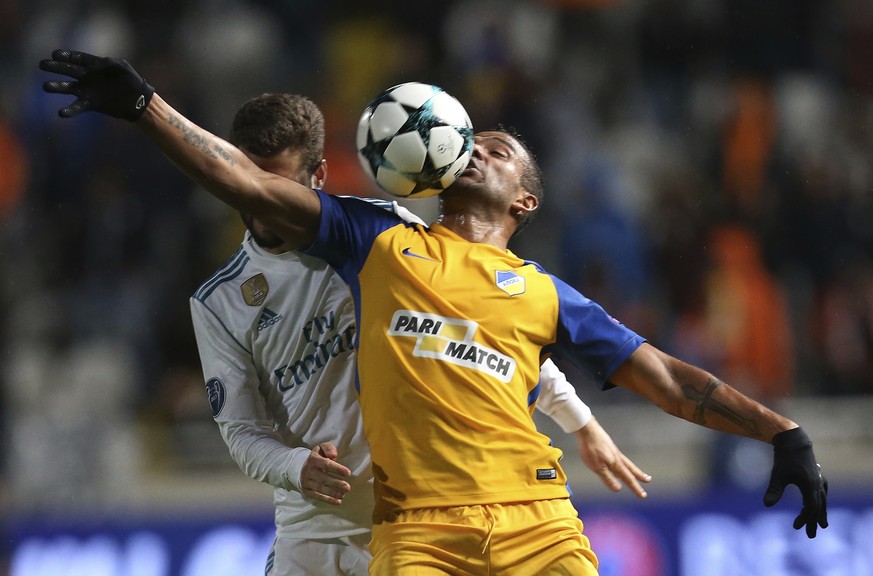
x: 794, y: 463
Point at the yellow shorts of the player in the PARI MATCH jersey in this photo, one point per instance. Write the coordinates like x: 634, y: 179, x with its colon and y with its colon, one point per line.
x: 542, y: 538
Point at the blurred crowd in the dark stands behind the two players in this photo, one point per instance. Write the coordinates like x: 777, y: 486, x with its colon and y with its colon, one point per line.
x: 708, y: 175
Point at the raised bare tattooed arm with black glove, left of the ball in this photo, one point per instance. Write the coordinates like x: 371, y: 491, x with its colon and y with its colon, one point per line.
x: 111, y: 86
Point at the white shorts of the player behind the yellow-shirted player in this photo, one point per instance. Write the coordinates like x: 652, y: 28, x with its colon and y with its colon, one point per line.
x: 346, y: 556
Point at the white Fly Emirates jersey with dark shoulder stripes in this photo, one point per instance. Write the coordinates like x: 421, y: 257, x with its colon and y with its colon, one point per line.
x: 275, y: 335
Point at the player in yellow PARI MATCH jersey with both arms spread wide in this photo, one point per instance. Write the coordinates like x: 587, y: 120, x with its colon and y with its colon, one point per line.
x: 452, y: 330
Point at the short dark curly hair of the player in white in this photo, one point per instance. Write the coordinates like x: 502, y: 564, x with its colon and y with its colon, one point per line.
x: 270, y: 123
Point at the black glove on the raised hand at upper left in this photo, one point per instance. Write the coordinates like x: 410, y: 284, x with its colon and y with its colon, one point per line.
x: 107, y: 85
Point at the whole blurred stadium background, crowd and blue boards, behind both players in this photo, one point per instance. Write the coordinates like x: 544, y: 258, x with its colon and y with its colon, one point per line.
x: 709, y: 174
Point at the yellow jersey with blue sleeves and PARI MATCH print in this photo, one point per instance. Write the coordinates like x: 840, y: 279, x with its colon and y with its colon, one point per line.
x: 451, y: 337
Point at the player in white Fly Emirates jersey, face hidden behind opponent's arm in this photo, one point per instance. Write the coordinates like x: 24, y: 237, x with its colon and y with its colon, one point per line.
x: 275, y: 329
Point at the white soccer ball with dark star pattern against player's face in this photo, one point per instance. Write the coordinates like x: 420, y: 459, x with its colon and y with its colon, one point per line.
x: 414, y: 139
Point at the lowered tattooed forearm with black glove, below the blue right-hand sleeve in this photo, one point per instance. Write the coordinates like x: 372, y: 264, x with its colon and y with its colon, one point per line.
x: 697, y: 396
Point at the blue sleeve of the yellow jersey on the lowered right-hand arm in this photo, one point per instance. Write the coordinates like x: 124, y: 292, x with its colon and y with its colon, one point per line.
x: 591, y: 339
